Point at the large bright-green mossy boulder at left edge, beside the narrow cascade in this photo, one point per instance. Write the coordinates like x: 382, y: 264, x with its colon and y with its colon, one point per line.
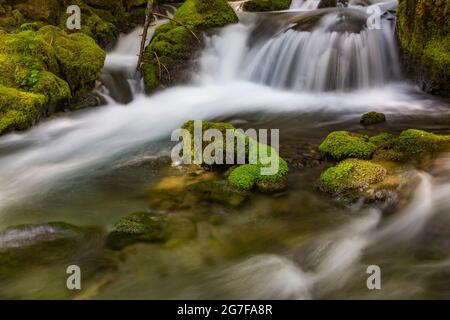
x: 41, y: 71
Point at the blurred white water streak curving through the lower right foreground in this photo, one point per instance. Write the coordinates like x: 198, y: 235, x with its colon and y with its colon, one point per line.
x: 337, y: 254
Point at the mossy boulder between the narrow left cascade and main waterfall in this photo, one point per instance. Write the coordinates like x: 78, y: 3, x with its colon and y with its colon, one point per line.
x: 173, y: 46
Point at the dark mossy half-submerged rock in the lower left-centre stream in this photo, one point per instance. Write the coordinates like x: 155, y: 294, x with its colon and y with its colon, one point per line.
x: 145, y: 227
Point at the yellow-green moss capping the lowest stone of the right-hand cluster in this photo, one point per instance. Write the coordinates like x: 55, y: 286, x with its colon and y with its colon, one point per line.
x: 351, y: 174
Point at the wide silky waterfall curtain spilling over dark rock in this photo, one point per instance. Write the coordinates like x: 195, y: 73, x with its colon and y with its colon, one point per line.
x: 337, y: 54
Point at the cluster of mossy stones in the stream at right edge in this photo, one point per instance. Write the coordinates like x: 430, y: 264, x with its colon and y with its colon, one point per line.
x: 388, y: 176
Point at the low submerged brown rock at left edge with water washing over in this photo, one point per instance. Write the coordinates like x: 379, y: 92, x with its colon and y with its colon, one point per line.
x: 54, y: 243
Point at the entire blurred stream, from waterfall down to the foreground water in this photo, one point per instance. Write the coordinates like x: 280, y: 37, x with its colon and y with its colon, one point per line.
x: 306, y: 72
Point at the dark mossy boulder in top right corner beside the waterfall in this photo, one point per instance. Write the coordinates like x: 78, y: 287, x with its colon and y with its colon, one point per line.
x: 424, y: 34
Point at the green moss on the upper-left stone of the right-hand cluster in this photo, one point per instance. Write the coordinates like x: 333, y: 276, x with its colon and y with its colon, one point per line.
x: 342, y: 144
